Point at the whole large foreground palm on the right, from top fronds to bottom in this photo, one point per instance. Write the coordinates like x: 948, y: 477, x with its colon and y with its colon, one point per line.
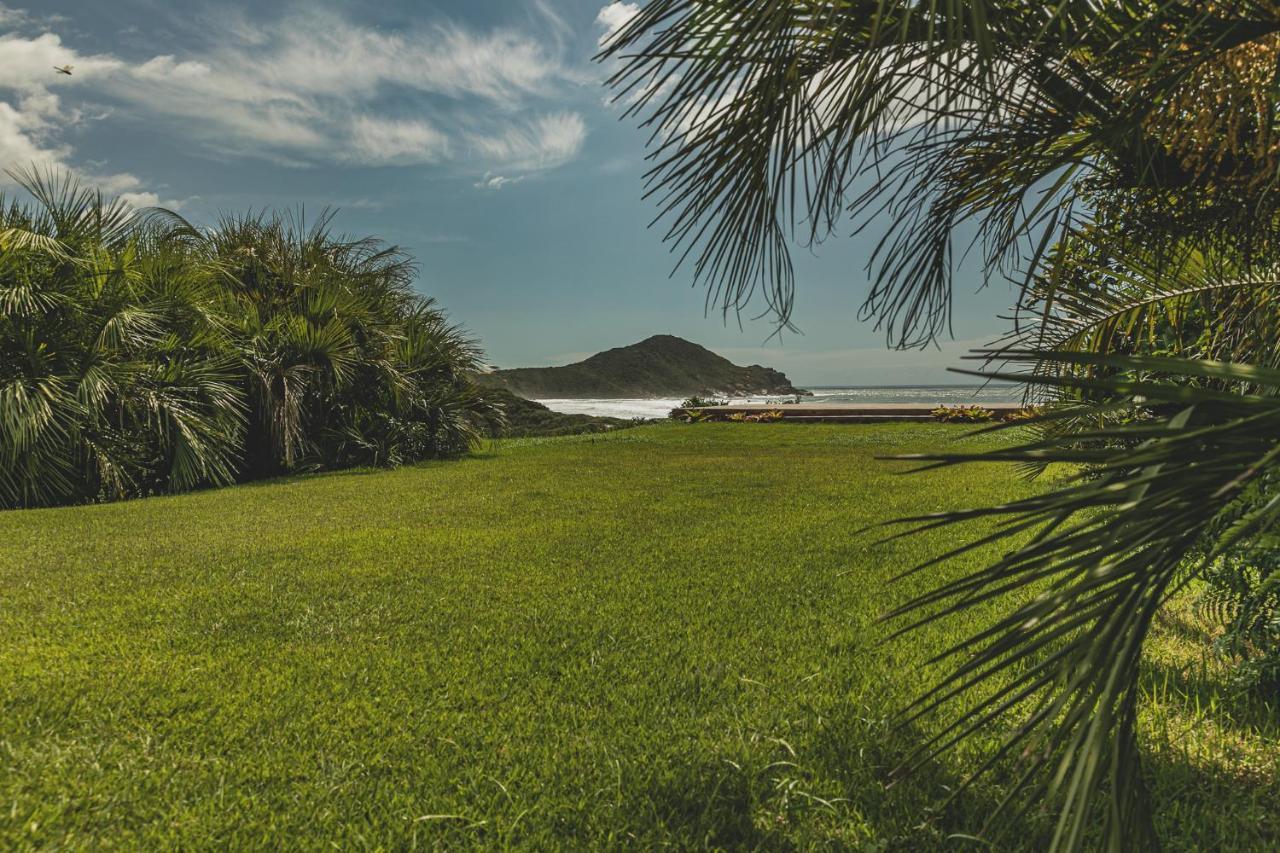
x: 1119, y: 161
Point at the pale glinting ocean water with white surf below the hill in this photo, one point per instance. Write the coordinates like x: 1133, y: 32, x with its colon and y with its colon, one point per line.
x: 660, y: 408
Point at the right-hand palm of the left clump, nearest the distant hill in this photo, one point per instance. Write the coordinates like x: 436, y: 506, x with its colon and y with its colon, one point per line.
x: 344, y: 362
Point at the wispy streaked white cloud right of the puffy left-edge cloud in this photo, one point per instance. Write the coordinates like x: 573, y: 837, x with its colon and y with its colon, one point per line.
x: 304, y: 88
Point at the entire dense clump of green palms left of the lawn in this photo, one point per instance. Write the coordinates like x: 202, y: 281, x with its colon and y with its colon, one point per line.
x: 145, y: 355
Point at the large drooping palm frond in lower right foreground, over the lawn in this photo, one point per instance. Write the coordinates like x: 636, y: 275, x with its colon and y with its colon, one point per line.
x: 1110, y: 548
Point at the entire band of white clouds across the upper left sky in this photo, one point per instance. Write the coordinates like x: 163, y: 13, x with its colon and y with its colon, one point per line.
x: 308, y: 89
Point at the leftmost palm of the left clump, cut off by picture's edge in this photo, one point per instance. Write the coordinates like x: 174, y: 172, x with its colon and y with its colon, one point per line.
x: 115, y: 381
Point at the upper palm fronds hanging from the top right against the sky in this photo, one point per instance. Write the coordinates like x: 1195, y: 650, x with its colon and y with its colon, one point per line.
x: 770, y: 117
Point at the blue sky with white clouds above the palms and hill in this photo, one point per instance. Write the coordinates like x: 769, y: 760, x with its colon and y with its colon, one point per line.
x: 474, y: 134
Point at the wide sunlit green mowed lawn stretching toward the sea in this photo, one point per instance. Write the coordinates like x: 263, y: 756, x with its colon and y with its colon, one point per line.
x: 661, y: 637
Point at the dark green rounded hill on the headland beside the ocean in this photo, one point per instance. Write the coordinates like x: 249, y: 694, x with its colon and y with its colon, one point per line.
x: 659, y: 367
